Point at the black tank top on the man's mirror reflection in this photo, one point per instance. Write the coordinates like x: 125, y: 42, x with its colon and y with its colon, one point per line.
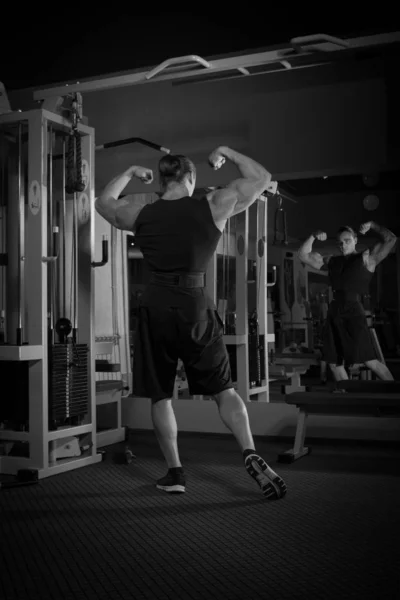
x: 349, y: 274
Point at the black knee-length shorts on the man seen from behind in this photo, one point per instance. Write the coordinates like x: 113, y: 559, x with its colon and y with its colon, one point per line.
x: 178, y: 326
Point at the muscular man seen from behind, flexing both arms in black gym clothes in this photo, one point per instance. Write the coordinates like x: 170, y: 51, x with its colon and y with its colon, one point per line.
x: 178, y: 235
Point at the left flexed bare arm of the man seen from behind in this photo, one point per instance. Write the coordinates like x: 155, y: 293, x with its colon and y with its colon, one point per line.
x: 122, y: 213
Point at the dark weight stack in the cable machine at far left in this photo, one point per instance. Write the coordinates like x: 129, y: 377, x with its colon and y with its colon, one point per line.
x: 68, y: 381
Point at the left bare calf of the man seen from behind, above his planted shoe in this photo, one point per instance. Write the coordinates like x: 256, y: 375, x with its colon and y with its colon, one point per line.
x: 166, y: 431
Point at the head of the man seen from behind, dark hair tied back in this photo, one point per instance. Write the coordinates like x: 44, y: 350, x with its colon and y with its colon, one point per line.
x: 176, y: 173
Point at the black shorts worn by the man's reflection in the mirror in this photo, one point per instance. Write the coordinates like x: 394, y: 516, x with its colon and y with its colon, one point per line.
x: 347, y: 338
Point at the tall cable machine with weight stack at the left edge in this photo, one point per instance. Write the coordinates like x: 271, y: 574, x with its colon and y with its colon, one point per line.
x: 47, y: 414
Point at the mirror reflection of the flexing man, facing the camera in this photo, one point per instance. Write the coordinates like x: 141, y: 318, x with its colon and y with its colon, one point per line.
x: 347, y: 338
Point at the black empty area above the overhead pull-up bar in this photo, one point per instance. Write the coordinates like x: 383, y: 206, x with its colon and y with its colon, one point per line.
x: 64, y: 42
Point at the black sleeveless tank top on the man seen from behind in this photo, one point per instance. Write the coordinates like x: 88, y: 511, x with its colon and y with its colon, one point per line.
x: 177, y: 235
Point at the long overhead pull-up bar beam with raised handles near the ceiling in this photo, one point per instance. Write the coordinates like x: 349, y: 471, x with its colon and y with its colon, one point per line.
x: 247, y: 64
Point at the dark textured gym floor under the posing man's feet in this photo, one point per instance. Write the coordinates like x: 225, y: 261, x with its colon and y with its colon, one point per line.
x: 105, y: 531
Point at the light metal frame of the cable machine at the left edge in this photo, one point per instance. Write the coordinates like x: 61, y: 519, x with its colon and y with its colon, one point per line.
x: 34, y: 347
